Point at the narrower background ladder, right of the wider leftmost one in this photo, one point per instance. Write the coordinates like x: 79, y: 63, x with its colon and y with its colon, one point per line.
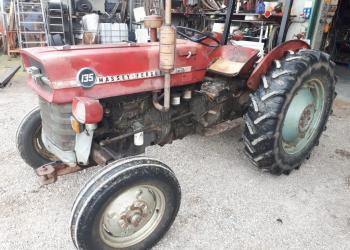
x: 55, y: 19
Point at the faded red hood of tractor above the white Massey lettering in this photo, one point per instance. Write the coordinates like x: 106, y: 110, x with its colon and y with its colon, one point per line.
x: 61, y: 65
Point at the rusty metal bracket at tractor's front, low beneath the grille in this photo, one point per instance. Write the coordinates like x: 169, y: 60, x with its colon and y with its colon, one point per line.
x: 48, y: 173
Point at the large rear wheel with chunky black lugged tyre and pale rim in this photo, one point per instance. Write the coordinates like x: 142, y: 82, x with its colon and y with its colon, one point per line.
x: 289, y: 111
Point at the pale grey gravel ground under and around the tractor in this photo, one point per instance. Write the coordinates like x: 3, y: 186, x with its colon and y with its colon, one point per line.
x: 226, y: 203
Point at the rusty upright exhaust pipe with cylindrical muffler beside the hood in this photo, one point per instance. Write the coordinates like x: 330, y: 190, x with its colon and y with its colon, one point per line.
x: 167, y: 47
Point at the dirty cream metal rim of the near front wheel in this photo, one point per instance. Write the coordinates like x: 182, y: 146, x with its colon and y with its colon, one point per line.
x: 132, y: 216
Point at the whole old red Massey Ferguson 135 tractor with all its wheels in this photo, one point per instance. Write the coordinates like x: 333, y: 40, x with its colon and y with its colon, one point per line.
x: 101, y: 104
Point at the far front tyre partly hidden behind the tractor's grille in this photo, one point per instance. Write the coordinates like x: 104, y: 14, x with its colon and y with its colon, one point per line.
x: 29, y: 143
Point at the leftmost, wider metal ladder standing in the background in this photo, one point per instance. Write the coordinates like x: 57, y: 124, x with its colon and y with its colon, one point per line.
x: 30, y: 20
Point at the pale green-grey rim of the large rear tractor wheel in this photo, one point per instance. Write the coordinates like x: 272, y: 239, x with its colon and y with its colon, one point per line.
x: 303, y: 116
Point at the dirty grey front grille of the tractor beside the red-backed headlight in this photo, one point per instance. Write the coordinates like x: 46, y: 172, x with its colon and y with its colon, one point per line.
x: 56, y: 124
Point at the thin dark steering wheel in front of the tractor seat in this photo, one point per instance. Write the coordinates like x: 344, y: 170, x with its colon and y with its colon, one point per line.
x: 197, y: 36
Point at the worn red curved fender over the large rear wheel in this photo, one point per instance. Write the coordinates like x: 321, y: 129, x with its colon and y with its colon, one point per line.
x: 277, y: 53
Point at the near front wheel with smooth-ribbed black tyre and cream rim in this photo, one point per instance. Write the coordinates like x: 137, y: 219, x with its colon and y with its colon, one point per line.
x: 130, y: 205
